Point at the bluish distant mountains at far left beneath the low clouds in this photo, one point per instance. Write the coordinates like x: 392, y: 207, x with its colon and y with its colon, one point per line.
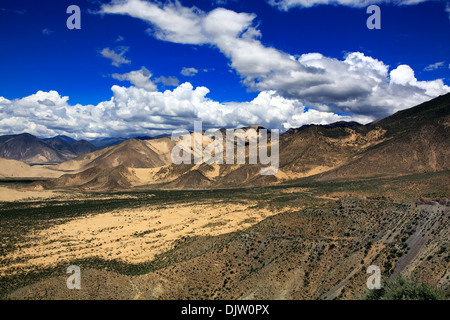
x: 30, y: 149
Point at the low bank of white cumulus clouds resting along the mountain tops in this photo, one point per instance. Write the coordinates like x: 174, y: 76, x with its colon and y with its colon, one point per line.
x: 134, y: 111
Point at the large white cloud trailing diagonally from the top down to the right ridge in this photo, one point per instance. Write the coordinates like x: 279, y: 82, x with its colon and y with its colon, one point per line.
x: 356, y: 84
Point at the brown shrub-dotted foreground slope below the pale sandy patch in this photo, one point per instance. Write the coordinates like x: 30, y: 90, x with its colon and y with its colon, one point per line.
x: 315, y: 253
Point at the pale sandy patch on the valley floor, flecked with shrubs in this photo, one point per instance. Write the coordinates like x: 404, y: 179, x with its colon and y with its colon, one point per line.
x: 131, y: 235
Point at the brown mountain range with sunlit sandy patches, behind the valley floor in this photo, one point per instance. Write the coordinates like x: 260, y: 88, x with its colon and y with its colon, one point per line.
x: 415, y: 140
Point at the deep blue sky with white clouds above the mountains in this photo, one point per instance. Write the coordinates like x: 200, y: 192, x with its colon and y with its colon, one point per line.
x: 145, y: 67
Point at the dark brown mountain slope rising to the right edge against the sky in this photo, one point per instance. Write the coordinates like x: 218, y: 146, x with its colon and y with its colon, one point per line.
x: 418, y: 141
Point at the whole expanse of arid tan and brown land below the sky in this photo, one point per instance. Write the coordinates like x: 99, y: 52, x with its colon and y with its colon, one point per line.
x: 346, y: 197
